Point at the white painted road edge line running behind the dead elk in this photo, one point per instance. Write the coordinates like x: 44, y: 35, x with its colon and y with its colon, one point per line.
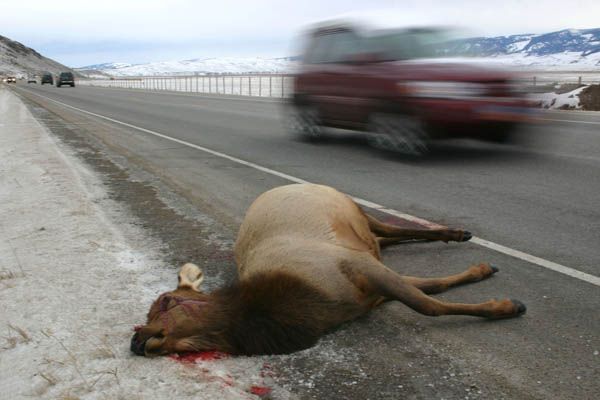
x: 476, y: 240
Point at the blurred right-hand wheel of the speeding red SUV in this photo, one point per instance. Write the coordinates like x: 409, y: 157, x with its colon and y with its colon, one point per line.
x: 399, y: 133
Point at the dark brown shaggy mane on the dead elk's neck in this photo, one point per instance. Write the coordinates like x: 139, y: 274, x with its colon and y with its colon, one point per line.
x: 273, y: 313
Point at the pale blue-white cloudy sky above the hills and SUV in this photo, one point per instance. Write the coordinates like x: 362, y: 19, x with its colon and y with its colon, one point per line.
x: 88, y: 32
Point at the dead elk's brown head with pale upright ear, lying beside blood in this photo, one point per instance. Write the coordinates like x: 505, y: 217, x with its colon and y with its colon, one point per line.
x: 175, y: 319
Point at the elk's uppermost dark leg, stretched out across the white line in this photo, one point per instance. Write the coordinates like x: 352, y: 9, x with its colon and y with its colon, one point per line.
x: 396, y: 234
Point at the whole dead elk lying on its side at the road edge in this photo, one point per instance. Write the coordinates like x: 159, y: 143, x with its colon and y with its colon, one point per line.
x: 308, y: 260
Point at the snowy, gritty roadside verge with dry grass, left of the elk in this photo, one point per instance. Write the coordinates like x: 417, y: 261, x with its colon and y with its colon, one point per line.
x: 75, y: 276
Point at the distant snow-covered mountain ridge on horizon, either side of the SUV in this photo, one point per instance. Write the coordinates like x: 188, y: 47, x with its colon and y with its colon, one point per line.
x: 568, y: 49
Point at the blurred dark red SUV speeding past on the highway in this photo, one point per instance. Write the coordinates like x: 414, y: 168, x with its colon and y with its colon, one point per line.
x: 395, y: 85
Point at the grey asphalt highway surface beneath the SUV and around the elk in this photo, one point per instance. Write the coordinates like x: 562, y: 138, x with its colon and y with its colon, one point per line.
x: 540, y: 196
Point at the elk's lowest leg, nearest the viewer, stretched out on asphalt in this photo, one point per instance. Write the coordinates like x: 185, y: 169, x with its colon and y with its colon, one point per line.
x: 374, y: 277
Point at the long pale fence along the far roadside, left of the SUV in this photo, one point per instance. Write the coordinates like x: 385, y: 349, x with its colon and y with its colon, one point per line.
x: 259, y: 85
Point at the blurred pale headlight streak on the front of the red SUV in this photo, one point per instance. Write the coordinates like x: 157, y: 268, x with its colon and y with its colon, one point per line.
x: 446, y: 90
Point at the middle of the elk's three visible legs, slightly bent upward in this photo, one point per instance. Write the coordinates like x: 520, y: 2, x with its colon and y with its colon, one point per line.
x: 474, y: 273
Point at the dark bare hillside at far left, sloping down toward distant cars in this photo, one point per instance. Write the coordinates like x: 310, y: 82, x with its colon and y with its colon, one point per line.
x: 18, y: 59
